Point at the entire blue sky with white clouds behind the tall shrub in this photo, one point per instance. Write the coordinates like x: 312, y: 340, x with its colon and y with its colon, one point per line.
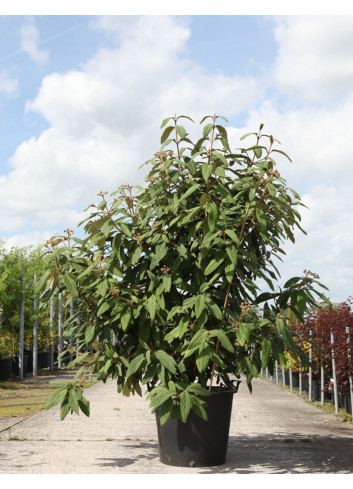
x: 82, y: 98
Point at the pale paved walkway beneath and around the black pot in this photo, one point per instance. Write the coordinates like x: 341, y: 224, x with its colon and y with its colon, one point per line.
x: 272, y: 432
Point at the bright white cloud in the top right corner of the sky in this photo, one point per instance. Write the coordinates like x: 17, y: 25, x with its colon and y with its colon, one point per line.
x: 315, y: 59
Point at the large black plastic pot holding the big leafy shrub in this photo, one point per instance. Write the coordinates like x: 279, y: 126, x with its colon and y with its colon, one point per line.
x: 198, y: 443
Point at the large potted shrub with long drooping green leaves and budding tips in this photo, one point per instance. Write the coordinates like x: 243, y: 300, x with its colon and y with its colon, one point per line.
x: 165, y: 278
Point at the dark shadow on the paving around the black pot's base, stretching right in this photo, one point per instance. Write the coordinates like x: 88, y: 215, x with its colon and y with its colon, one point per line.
x: 269, y: 454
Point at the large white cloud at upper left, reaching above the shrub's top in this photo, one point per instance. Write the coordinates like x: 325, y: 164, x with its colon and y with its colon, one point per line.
x: 105, y: 121
